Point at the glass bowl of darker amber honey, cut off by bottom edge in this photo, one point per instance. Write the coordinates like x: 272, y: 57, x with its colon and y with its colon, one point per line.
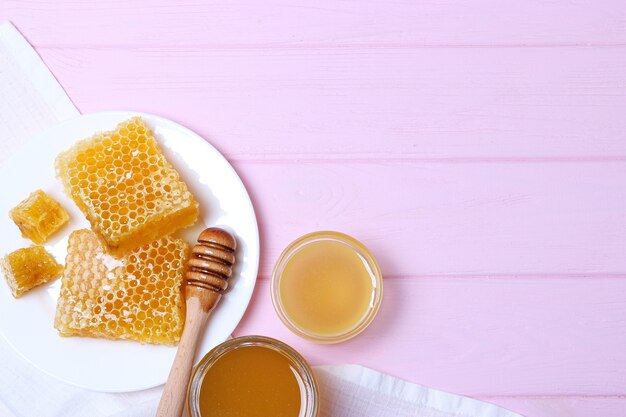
x: 252, y: 376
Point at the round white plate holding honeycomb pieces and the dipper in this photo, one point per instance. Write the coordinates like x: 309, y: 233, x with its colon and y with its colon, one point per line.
x: 119, y: 366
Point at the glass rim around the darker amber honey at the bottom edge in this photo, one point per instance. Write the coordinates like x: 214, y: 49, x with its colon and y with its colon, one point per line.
x: 309, y: 383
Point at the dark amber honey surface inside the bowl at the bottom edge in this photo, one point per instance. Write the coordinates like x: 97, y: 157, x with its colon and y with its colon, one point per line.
x: 250, y: 381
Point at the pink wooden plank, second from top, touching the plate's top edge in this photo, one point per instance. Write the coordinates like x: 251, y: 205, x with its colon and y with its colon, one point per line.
x: 427, y: 104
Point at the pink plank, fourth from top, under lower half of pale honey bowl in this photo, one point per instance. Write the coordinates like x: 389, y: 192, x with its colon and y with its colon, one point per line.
x: 483, y: 337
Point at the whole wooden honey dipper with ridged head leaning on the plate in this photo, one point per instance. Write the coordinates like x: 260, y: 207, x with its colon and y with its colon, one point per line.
x: 209, y: 268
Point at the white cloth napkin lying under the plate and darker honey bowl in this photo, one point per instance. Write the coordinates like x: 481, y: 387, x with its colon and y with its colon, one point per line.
x: 33, y: 100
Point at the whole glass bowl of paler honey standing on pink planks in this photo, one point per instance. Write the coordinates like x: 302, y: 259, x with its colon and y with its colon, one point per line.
x: 326, y: 287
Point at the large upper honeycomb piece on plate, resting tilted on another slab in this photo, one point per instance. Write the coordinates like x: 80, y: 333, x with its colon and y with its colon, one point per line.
x: 125, y: 187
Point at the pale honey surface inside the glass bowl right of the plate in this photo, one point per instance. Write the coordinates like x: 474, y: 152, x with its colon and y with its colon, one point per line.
x: 326, y: 288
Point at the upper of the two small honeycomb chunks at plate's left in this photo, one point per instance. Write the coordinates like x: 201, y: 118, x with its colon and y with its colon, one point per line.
x: 39, y: 216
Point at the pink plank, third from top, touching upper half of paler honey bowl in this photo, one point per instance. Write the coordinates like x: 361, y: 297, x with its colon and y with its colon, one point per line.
x: 438, y: 219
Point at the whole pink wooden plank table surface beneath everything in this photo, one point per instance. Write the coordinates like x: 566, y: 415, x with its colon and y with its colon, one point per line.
x: 477, y: 147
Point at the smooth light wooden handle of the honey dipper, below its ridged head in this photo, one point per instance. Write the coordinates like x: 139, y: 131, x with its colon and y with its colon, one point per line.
x: 175, y: 391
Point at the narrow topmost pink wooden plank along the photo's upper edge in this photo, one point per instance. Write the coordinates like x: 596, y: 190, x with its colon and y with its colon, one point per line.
x: 298, y: 22
